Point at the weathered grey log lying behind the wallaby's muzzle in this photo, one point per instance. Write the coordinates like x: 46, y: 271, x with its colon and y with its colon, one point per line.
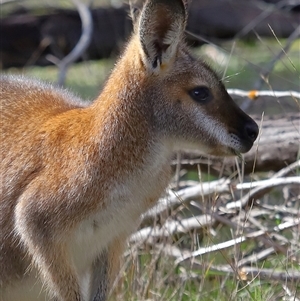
x: 278, y: 145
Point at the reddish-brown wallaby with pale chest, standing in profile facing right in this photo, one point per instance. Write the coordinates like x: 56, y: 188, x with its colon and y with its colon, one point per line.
x: 75, y: 178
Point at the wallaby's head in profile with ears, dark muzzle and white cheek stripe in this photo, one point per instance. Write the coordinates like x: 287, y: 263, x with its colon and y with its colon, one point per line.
x: 189, y: 102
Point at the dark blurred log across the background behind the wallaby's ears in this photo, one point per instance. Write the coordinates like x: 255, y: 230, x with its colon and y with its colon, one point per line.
x: 27, y: 38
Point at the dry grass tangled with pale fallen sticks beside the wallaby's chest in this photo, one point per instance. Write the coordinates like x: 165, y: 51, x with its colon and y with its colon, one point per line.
x: 263, y: 267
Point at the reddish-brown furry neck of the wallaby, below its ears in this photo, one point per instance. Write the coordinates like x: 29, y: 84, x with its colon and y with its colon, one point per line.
x: 124, y: 115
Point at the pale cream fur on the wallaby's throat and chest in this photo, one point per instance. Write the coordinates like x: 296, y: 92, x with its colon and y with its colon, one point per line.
x: 124, y: 204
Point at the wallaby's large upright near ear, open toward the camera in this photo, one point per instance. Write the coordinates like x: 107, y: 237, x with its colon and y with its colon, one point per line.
x: 160, y: 28
